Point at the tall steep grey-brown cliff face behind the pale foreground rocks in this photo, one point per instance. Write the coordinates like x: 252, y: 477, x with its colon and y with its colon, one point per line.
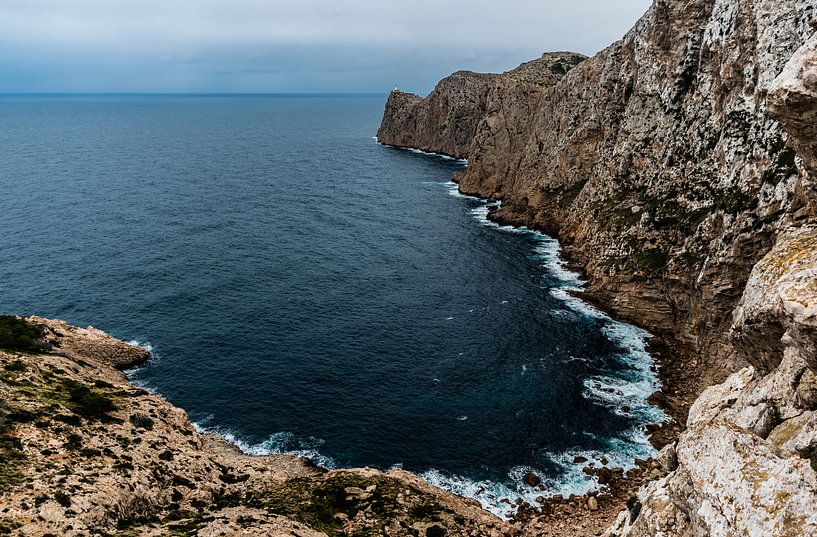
x: 656, y: 164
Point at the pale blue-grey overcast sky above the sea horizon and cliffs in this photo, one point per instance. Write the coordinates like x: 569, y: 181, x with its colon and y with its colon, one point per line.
x: 293, y: 46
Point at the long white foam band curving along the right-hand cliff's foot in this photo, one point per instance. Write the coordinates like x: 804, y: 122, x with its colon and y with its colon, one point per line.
x: 629, y: 385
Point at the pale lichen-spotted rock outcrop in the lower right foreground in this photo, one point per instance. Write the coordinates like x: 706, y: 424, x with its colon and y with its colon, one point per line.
x: 747, y: 462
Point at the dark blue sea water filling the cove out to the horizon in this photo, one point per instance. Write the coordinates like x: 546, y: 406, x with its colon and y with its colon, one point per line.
x: 305, y: 289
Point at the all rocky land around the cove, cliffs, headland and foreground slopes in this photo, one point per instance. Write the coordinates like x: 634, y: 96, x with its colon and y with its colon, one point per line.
x: 678, y: 168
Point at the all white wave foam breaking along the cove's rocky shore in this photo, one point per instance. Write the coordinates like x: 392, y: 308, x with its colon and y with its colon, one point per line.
x: 625, y: 388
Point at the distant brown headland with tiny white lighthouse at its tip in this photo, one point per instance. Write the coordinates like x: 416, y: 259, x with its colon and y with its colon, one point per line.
x: 446, y: 120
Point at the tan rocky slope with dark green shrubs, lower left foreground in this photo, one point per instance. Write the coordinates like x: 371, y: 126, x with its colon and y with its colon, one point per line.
x: 82, y: 452
